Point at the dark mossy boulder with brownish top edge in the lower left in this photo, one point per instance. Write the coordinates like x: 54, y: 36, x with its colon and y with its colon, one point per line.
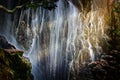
x: 13, y: 66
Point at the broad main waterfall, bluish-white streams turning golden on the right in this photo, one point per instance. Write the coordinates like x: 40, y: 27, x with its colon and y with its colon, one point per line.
x: 62, y: 39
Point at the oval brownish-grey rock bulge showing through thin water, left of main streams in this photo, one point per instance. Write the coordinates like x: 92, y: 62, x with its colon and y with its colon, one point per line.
x: 24, y: 35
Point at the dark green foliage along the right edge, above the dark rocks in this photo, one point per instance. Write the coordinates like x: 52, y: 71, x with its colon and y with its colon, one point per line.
x: 115, y: 27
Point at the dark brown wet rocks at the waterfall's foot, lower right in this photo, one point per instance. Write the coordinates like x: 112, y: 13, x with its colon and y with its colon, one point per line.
x: 106, y: 68
